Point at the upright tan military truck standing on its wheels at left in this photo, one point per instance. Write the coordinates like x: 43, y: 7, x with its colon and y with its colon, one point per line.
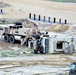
x: 13, y: 32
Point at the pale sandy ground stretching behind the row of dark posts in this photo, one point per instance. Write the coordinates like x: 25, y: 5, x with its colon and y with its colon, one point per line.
x: 21, y: 9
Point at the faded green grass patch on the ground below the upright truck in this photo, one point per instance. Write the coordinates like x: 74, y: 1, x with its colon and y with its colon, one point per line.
x: 16, y: 53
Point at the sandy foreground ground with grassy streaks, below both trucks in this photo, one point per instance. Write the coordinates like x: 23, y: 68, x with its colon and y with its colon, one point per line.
x: 21, y: 63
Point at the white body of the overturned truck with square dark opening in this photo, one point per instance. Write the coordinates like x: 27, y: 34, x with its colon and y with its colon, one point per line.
x: 57, y: 43
